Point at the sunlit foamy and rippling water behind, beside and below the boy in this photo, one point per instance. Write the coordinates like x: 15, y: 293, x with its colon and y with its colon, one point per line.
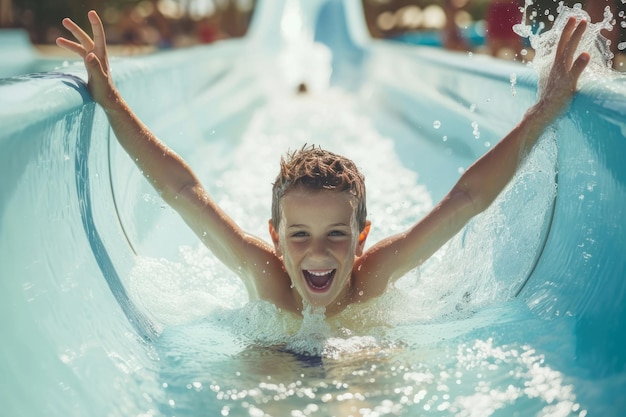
x: 440, y: 342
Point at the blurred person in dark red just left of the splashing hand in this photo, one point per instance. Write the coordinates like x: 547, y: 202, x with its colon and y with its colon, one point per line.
x: 502, y: 41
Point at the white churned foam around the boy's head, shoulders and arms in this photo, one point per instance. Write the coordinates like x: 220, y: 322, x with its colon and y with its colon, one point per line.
x: 459, y: 279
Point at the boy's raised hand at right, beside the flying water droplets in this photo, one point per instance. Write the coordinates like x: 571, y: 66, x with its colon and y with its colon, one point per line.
x: 563, y: 77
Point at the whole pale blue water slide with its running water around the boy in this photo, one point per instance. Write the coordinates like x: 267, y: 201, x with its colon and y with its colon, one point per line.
x: 76, y: 219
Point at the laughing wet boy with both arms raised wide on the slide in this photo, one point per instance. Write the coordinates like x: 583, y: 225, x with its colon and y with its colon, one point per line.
x: 318, y: 226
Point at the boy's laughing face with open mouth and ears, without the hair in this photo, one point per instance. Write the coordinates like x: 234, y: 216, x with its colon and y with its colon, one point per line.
x: 318, y: 241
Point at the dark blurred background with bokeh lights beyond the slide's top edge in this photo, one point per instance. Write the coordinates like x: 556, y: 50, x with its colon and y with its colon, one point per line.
x: 141, y: 26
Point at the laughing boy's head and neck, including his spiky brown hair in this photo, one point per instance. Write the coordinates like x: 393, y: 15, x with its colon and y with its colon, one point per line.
x: 319, y: 227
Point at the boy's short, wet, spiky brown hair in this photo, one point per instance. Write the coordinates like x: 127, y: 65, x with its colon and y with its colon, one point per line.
x: 317, y: 169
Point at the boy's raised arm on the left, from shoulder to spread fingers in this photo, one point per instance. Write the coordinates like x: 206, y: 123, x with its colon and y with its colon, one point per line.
x: 166, y: 171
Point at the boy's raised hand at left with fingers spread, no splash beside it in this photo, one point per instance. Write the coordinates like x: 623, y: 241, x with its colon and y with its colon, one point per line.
x: 94, y: 54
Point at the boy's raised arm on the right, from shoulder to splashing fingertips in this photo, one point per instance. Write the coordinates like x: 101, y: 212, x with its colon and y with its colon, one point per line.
x: 483, y: 181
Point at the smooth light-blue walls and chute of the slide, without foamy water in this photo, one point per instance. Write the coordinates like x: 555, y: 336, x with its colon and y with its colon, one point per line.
x: 75, y: 212
